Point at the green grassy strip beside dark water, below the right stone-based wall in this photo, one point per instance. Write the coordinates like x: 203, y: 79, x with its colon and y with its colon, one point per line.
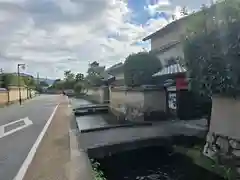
x: 211, y: 165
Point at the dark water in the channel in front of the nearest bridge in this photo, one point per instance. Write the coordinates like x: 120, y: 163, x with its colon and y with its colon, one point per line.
x: 154, y: 163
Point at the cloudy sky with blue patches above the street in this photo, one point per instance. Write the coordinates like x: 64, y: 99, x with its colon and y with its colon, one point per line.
x: 51, y: 36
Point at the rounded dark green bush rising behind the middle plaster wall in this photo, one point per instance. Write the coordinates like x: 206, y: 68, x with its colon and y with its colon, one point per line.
x: 139, y: 68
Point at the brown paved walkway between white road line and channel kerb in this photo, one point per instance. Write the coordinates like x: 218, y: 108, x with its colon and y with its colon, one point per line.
x: 52, y: 159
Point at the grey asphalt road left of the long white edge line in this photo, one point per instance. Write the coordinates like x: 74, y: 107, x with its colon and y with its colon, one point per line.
x: 15, y: 147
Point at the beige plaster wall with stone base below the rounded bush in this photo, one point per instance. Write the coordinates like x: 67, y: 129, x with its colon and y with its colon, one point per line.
x: 134, y: 103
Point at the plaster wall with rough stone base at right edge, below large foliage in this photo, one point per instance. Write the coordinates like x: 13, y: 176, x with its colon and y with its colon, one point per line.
x: 223, y: 138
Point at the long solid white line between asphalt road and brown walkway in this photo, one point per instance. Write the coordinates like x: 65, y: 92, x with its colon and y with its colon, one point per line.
x: 22, y: 171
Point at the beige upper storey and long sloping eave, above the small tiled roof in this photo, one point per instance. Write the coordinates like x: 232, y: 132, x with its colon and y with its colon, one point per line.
x: 166, y: 42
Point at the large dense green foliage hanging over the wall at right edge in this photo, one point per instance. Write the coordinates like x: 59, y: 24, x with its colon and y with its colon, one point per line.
x: 212, y: 49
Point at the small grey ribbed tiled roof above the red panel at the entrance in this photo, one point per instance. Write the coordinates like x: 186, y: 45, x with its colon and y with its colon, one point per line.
x: 173, y: 69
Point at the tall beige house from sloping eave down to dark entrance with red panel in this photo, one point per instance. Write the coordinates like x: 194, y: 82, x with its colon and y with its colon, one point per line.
x: 166, y: 44
